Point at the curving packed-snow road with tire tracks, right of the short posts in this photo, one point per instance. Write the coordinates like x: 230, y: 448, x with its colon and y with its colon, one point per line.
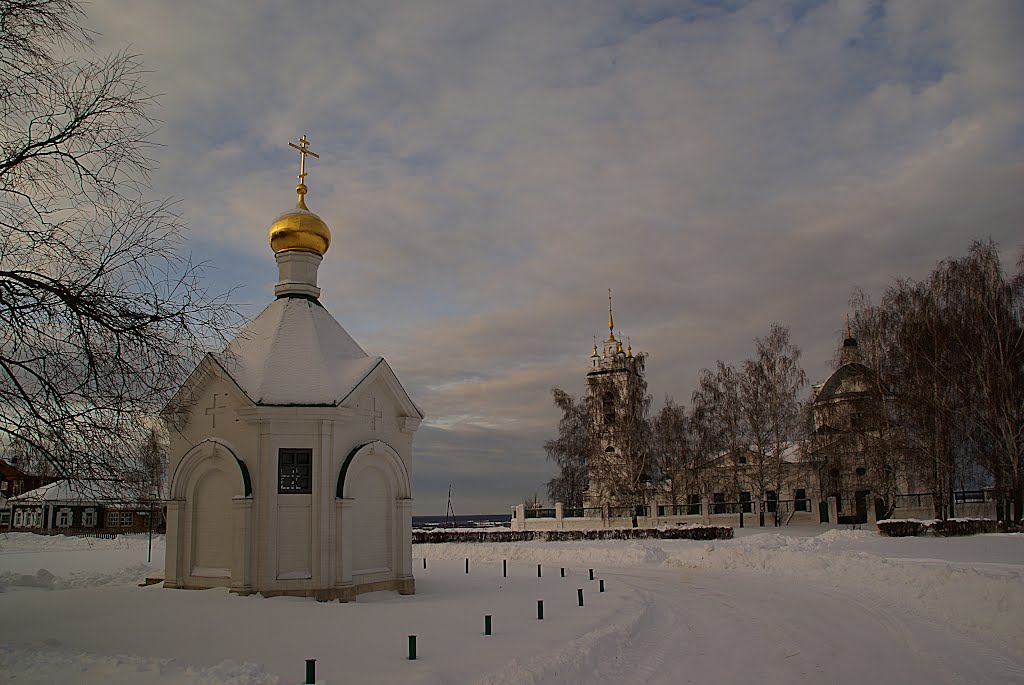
x: 704, y: 629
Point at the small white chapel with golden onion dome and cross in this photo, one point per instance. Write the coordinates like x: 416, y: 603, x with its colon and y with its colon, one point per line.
x: 291, y: 450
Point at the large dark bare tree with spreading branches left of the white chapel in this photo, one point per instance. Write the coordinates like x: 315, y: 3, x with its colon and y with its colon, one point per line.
x: 103, y: 314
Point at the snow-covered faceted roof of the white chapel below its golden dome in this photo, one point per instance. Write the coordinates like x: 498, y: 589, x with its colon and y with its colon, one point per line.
x: 295, y: 353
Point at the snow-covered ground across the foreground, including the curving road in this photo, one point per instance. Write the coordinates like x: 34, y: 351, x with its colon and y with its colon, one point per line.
x: 838, y: 608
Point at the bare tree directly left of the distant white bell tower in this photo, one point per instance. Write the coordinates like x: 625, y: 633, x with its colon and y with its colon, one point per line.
x: 571, y: 450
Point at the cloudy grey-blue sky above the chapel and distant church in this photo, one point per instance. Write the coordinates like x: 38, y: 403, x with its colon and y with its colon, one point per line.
x: 489, y: 169
